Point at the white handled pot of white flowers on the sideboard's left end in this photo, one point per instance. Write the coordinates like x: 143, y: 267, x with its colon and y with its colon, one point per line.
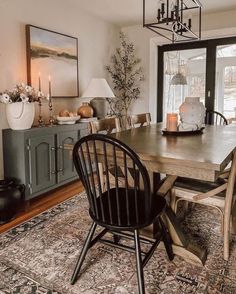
x: 20, y: 109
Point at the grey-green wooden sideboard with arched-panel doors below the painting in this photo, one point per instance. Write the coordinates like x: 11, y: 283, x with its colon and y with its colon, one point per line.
x: 37, y: 158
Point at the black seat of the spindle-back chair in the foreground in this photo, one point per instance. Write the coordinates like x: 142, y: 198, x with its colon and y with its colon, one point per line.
x: 157, y: 207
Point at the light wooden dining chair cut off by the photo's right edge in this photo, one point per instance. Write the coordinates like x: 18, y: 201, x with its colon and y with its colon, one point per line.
x: 220, y: 195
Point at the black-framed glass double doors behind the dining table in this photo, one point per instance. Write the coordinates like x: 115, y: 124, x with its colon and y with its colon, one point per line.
x: 207, y: 69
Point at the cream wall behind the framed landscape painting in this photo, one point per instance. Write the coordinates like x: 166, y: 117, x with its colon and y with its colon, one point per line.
x: 97, y: 40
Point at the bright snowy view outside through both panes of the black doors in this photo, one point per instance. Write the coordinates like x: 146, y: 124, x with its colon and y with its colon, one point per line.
x: 192, y: 65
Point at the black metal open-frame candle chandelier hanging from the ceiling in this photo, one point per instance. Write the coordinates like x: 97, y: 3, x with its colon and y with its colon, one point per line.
x: 173, y: 16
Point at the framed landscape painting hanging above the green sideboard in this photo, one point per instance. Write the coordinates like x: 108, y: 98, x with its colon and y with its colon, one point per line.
x: 52, y: 56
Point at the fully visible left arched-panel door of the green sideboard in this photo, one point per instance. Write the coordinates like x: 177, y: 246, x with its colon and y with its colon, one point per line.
x: 42, y: 164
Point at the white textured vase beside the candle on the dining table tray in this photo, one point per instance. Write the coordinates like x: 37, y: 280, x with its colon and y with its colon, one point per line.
x: 192, y: 112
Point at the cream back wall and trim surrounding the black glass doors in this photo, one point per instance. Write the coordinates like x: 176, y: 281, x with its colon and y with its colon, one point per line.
x: 213, y: 25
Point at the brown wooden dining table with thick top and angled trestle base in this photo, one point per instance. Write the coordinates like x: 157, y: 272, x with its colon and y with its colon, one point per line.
x: 197, y: 155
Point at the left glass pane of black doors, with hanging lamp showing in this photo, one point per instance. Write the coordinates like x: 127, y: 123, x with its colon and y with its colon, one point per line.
x: 184, y: 75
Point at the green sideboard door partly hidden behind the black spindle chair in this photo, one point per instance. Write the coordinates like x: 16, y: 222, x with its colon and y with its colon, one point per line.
x: 65, y: 169
